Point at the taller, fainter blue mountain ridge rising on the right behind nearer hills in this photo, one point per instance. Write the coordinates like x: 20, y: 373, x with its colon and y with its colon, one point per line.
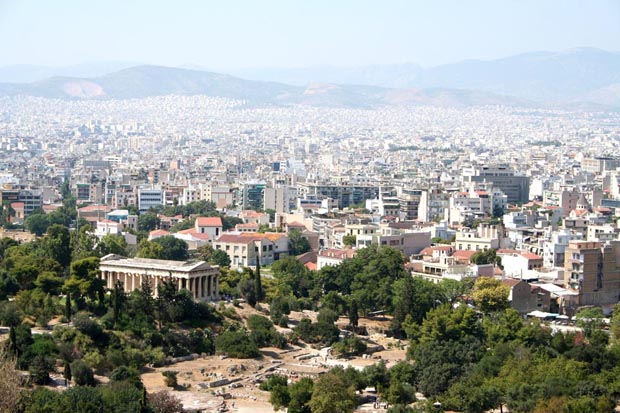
x: 582, y: 75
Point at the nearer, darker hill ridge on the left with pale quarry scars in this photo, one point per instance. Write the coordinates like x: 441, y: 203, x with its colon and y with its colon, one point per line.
x: 144, y: 81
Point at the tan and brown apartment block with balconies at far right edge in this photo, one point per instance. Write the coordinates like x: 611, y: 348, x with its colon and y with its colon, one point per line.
x: 593, y: 269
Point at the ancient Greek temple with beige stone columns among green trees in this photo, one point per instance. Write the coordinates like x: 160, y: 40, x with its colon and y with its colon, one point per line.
x: 199, y: 278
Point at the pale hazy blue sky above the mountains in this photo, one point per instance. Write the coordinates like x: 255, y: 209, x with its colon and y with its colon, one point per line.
x: 293, y: 33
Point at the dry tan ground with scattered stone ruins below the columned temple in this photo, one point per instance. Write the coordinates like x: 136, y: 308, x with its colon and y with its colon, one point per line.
x: 245, y: 375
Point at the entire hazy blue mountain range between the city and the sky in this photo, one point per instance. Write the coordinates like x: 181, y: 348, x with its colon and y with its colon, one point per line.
x: 582, y: 78
